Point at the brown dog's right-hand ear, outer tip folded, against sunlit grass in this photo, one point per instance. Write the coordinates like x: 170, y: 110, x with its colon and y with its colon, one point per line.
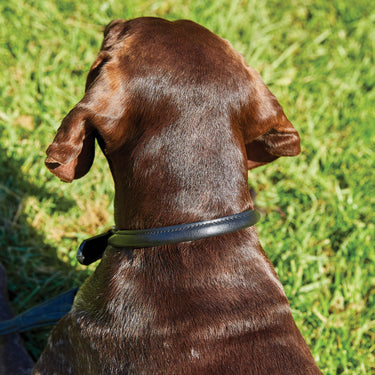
x: 268, y: 133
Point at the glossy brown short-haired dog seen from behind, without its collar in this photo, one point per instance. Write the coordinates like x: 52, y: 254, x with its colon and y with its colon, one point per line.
x: 180, y: 118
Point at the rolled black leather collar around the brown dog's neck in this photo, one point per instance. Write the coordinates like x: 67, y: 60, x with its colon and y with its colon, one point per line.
x: 92, y: 249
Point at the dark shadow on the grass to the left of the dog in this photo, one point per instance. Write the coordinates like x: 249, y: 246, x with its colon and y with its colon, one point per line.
x: 34, y: 271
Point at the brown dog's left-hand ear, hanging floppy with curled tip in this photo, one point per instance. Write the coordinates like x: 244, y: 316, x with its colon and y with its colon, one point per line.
x: 71, y: 153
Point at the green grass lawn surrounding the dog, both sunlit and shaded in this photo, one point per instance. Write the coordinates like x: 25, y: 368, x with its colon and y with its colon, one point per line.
x: 318, y: 224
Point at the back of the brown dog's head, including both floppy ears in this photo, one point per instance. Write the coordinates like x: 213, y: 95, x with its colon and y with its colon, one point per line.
x: 151, y: 72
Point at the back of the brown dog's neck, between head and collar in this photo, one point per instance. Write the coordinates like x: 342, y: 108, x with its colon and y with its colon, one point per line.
x: 158, y: 183
